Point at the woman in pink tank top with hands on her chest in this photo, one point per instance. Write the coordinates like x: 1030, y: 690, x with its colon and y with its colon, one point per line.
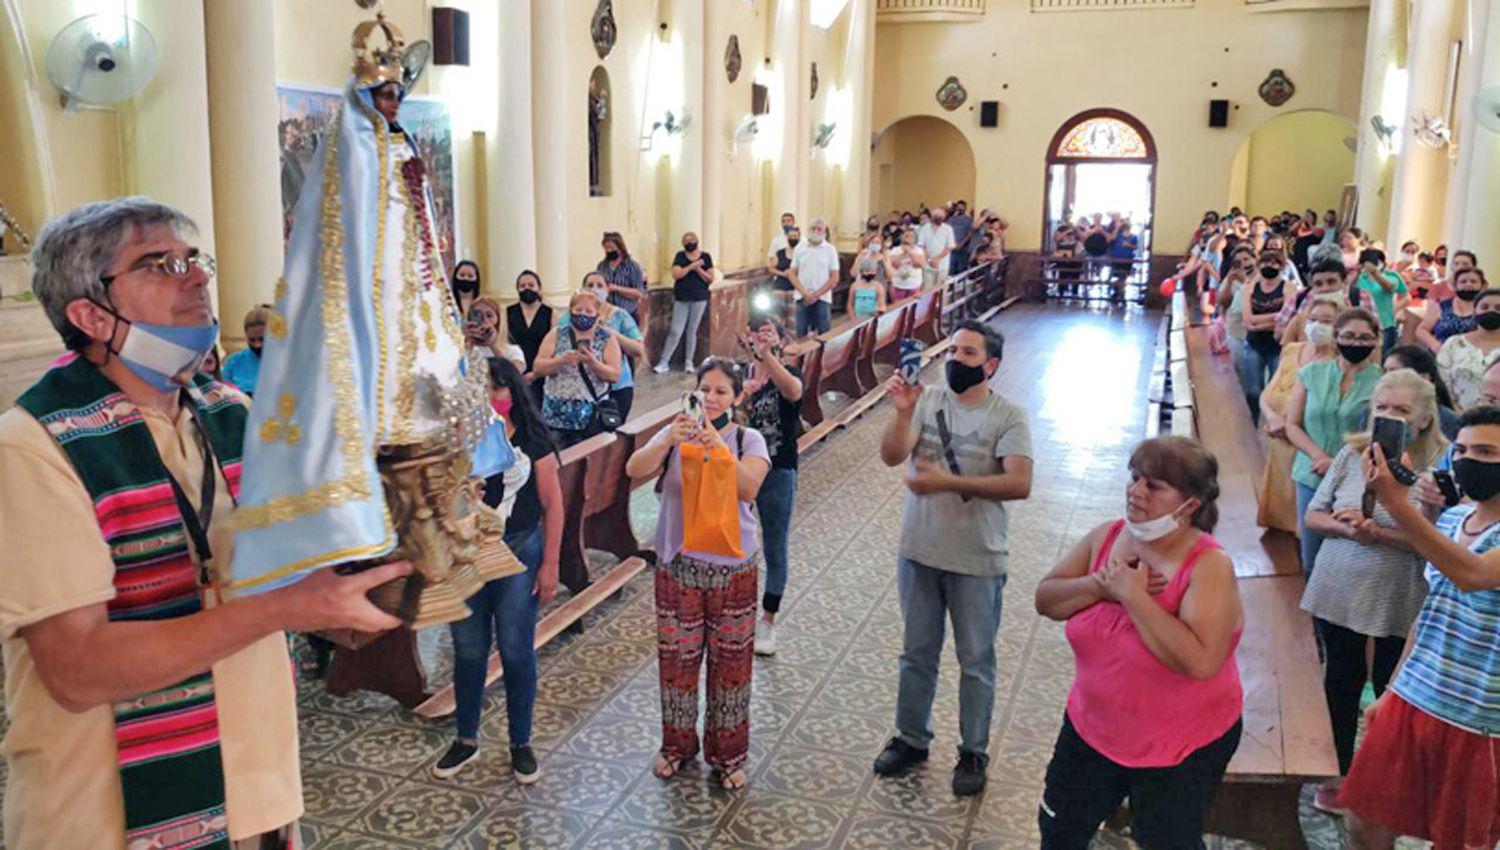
x: 1154, y: 617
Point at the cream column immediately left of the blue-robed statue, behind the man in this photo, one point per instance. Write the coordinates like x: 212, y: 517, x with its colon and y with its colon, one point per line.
x: 247, y: 157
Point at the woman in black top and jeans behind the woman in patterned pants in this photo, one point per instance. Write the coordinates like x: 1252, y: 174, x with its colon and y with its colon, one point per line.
x: 773, y: 404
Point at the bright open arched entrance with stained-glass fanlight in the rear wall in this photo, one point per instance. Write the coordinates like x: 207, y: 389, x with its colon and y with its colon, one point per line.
x: 1102, y: 163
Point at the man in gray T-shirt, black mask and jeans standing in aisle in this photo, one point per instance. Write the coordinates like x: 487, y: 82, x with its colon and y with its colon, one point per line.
x: 968, y: 452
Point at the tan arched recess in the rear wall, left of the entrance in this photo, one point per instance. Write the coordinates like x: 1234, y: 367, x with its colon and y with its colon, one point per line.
x: 920, y: 160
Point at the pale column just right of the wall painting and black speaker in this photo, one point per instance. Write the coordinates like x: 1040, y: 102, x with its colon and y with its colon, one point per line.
x: 509, y: 160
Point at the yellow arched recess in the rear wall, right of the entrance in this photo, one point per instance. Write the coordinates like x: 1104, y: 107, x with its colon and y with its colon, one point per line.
x: 1292, y: 163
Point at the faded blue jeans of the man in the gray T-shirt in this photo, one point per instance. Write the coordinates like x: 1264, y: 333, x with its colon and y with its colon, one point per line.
x: 974, y: 605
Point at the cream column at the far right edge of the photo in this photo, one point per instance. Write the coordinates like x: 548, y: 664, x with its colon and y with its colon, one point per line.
x: 1481, y: 208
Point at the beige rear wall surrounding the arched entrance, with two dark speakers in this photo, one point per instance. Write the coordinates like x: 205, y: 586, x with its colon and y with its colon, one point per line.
x: 1156, y: 65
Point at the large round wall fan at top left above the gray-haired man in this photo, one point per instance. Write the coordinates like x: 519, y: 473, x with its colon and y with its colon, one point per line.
x: 101, y: 61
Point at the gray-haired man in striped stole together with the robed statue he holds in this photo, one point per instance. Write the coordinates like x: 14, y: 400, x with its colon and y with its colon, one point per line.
x: 148, y: 683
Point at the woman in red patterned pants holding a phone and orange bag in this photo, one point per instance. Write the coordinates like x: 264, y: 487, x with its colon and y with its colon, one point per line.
x: 706, y: 600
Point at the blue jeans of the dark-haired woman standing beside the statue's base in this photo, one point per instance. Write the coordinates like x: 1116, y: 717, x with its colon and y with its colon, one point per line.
x: 505, y: 611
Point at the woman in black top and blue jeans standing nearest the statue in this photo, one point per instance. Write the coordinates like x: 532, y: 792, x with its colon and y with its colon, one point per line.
x: 505, y: 611
